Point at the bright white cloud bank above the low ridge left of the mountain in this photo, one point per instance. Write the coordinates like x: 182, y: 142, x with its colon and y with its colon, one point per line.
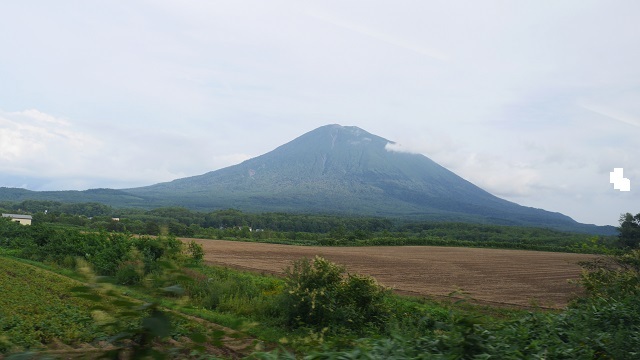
x: 41, y: 151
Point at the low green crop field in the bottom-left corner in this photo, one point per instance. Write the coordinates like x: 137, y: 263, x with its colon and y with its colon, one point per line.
x: 41, y: 311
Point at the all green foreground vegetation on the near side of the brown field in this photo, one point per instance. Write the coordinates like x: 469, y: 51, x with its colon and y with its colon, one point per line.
x: 316, y: 311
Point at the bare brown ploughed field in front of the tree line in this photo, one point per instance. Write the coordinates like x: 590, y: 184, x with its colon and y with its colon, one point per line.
x: 509, y: 277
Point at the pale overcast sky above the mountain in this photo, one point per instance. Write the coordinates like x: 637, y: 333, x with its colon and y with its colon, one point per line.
x: 534, y: 101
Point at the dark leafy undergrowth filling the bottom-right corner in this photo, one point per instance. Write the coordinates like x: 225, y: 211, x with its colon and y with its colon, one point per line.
x: 603, y: 325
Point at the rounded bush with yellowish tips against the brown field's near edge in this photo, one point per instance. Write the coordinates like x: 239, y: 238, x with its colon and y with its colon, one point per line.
x: 317, y: 294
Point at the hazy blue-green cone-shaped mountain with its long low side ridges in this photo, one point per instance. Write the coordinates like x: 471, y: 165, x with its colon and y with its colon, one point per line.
x: 333, y: 169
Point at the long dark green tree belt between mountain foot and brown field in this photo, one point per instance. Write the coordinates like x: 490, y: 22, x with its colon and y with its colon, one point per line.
x: 321, y: 230
